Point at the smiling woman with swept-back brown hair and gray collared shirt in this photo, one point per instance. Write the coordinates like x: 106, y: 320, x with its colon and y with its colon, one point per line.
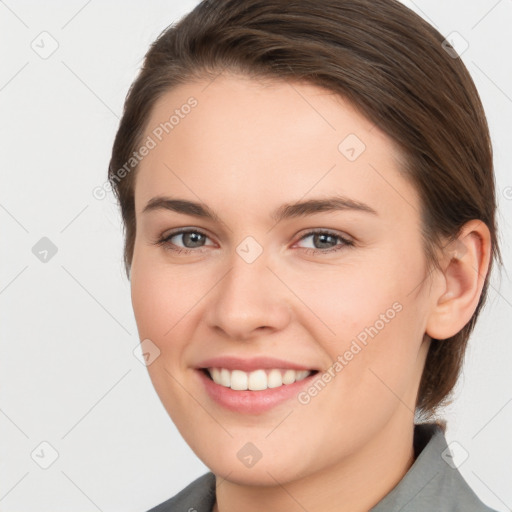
x: 308, y: 196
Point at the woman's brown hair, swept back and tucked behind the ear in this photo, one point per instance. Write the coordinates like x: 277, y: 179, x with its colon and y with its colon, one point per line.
x: 390, y: 64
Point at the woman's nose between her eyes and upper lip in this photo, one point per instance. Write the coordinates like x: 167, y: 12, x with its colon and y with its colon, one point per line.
x: 249, y: 300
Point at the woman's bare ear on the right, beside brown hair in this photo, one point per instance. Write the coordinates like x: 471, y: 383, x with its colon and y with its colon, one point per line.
x: 465, y: 265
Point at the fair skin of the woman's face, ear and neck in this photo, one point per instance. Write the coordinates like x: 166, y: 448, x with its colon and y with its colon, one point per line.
x: 247, y: 148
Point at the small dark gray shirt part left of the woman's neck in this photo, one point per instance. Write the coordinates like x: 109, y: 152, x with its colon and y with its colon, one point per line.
x: 198, y: 496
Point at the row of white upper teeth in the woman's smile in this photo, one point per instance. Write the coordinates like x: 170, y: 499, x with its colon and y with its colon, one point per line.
x: 256, y: 380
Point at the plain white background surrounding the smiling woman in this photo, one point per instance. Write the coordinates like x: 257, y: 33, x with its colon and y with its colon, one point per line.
x: 68, y: 374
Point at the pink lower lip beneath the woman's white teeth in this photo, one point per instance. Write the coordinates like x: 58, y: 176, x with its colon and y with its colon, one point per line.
x: 252, y: 402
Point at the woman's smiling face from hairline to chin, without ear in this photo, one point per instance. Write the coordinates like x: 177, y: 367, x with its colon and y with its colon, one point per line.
x: 252, y: 281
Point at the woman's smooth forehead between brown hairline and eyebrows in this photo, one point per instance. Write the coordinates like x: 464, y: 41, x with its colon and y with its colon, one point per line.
x: 236, y: 140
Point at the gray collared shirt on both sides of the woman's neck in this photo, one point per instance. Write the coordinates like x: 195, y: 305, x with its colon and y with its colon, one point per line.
x: 432, y: 483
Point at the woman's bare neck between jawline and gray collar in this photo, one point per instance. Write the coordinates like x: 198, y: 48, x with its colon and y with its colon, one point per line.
x: 355, y: 484
